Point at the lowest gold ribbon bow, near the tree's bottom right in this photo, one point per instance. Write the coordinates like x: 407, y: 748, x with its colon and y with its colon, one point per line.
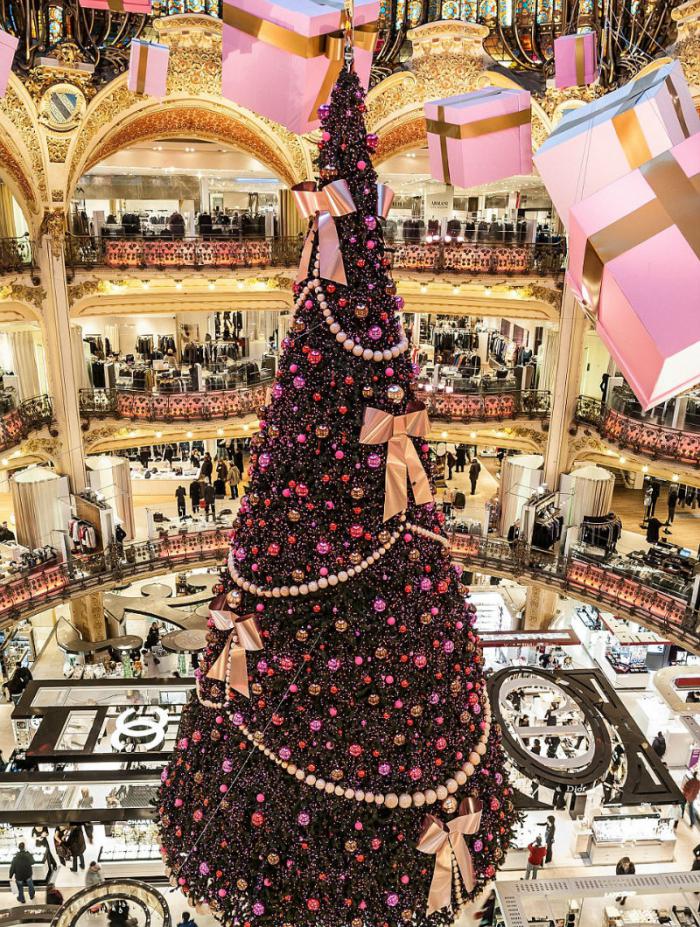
x: 445, y: 840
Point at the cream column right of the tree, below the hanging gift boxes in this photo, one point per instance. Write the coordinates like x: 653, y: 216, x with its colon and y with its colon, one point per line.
x: 567, y: 378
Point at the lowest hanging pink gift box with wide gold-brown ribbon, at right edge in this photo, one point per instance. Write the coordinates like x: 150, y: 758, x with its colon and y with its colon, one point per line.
x: 634, y: 259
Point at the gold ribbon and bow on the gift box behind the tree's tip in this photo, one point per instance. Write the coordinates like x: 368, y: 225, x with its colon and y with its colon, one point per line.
x: 331, y: 44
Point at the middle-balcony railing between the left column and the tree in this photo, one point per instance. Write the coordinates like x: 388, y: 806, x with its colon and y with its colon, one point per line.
x: 151, y: 407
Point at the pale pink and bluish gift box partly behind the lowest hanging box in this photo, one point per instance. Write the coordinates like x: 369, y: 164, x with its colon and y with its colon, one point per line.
x: 598, y: 143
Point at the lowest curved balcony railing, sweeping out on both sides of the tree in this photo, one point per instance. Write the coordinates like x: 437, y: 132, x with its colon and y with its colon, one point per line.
x: 32, y: 591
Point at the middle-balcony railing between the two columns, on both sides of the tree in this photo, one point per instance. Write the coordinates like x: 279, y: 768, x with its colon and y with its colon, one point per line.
x: 136, y: 405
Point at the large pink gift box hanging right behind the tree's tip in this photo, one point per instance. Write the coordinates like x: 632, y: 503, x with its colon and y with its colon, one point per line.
x: 280, y: 59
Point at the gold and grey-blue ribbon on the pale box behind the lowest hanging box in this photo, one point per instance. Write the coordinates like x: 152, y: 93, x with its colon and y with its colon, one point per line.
x: 625, y: 120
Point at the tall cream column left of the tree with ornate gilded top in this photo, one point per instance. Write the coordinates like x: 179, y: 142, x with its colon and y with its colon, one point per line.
x: 63, y: 382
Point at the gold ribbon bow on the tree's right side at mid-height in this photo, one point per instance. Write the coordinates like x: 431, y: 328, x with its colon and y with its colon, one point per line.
x: 402, y: 461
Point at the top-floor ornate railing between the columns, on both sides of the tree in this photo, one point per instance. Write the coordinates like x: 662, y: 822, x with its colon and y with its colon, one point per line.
x: 235, y: 251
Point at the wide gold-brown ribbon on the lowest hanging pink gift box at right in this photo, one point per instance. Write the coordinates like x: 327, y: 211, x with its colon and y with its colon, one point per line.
x: 676, y: 202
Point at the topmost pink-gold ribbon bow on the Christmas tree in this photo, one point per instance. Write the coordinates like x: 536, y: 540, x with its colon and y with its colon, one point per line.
x: 325, y: 206
